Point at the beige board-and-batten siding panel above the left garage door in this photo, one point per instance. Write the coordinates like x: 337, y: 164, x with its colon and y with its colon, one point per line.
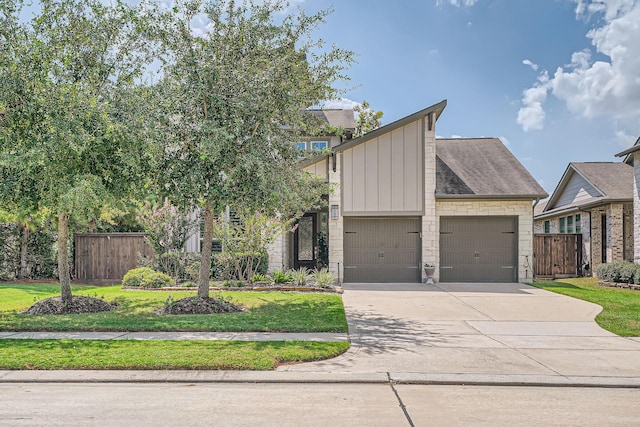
x: 384, y: 176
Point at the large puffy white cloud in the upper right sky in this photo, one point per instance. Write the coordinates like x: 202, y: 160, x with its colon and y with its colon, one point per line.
x: 591, y: 88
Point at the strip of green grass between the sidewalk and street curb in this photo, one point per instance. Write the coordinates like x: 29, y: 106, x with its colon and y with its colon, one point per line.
x: 94, y: 354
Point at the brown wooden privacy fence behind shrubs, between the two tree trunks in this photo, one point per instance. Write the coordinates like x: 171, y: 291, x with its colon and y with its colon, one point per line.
x: 106, y: 257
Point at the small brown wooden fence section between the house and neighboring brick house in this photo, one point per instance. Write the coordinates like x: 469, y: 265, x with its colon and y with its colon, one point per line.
x: 557, y: 255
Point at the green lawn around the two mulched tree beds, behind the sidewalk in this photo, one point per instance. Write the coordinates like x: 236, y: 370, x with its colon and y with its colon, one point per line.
x: 268, y: 312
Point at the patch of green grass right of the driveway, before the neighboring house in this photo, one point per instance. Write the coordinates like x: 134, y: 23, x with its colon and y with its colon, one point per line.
x: 620, y: 307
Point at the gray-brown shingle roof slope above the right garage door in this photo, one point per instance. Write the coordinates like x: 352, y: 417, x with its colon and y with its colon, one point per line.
x: 481, y: 167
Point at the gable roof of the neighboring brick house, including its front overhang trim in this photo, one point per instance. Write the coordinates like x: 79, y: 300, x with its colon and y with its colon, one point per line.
x: 607, y: 181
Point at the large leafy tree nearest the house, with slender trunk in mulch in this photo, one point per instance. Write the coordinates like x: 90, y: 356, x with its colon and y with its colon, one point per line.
x: 232, y: 103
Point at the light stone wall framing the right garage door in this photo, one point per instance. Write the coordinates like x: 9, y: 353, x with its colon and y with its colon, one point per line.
x: 523, y: 209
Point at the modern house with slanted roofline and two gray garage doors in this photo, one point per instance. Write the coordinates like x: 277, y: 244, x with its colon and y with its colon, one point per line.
x: 404, y: 198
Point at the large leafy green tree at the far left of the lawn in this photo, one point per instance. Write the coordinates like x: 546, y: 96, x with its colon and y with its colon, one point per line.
x: 69, y: 131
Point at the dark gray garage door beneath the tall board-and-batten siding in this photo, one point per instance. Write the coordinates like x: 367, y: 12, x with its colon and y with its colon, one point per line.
x: 382, y: 250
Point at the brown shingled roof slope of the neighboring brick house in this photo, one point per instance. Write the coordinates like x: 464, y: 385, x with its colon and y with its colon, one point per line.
x: 614, y: 180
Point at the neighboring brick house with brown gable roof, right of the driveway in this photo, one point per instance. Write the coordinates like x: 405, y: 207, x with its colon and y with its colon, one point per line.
x: 596, y: 200
